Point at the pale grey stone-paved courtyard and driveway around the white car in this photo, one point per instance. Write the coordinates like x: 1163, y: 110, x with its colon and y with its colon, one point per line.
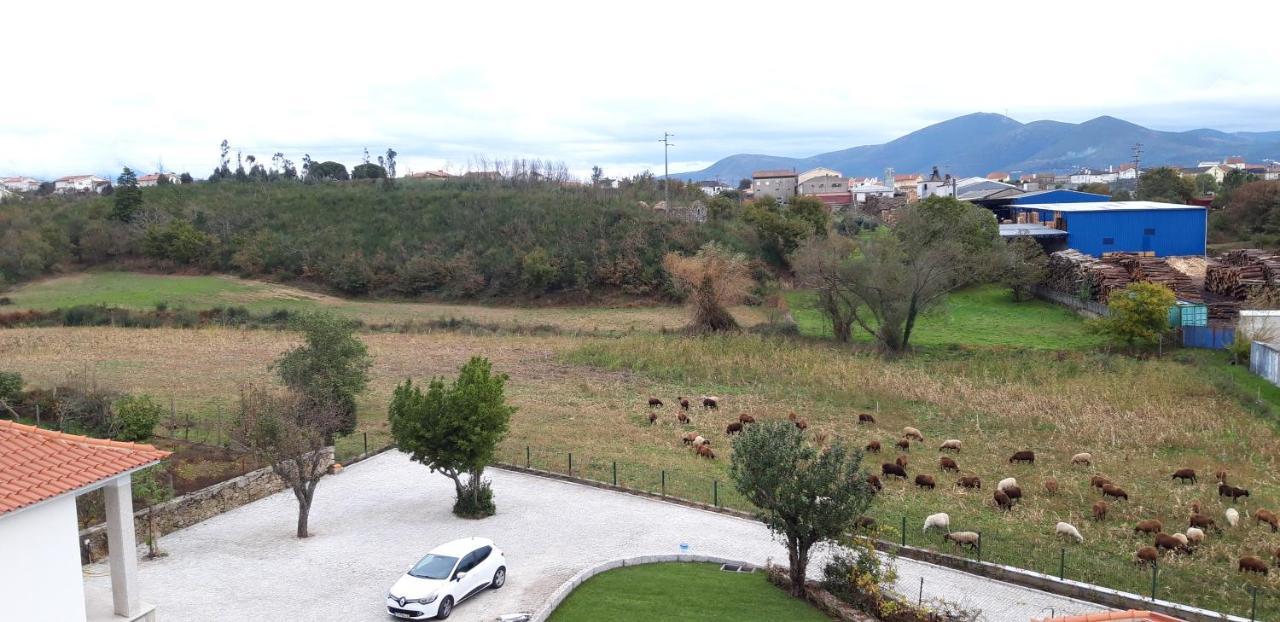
x: 382, y: 515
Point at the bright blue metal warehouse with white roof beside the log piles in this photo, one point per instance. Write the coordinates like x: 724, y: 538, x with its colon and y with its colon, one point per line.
x: 1098, y: 228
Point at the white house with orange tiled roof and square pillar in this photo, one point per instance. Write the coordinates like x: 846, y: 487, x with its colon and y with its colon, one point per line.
x: 42, y: 473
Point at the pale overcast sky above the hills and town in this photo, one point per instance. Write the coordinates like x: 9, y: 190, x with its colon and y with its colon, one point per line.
x: 93, y: 88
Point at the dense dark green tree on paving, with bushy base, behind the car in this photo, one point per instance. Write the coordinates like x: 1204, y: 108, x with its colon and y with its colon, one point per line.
x: 455, y: 431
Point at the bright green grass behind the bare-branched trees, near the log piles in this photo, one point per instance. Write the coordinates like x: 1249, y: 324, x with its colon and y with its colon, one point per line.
x: 980, y: 317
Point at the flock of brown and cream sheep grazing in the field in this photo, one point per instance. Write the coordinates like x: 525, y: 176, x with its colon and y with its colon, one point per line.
x: 1008, y: 493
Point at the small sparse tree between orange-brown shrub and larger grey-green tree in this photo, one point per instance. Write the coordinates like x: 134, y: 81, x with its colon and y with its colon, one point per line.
x: 822, y: 264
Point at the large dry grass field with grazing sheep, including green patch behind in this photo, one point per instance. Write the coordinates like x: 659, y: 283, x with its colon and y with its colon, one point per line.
x: 586, y: 396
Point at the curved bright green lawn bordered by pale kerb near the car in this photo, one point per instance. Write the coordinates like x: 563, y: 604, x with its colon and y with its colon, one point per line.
x: 682, y: 592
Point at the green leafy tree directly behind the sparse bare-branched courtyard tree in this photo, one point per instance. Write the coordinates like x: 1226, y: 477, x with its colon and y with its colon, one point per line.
x: 330, y: 369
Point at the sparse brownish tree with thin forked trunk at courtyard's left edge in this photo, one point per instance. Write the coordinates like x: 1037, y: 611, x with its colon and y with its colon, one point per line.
x: 290, y: 432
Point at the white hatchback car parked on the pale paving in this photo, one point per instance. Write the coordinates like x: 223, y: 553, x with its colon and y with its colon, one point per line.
x: 449, y: 575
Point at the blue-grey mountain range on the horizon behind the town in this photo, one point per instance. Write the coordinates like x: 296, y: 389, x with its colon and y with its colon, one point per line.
x: 982, y: 143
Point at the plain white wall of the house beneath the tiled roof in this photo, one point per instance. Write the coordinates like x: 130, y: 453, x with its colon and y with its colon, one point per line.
x: 40, y: 575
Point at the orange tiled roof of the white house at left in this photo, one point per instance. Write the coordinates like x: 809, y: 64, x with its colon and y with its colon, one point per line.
x: 38, y: 465
